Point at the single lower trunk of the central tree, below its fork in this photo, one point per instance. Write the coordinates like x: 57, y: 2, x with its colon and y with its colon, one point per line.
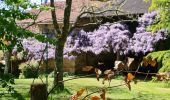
x: 58, y: 71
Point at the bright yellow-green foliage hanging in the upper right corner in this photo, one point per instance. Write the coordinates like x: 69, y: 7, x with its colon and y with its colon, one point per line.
x: 162, y: 6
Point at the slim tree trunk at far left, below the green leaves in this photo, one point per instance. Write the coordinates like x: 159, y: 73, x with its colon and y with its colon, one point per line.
x: 7, y: 57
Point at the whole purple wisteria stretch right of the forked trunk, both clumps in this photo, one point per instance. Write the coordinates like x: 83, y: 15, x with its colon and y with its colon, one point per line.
x: 116, y: 38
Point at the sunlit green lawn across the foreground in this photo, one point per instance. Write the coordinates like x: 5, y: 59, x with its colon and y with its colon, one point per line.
x: 141, y: 90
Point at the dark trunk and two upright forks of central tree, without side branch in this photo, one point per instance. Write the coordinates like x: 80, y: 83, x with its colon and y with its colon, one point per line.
x: 61, y: 36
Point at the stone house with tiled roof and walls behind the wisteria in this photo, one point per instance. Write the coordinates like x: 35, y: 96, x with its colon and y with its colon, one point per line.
x: 43, y: 24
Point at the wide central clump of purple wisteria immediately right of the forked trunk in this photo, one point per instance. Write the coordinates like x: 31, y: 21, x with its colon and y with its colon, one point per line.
x: 108, y: 37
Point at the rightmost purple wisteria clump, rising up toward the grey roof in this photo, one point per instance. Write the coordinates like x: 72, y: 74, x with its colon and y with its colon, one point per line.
x: 144, y: 41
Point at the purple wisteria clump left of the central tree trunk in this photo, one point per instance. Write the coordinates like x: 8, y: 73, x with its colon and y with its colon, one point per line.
x: 36, y: 49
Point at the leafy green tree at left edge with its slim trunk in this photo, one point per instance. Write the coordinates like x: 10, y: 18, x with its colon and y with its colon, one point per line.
x: 10, y: 32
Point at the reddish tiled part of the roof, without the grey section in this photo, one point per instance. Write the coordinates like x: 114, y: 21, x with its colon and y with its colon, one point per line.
x: 45, y: 16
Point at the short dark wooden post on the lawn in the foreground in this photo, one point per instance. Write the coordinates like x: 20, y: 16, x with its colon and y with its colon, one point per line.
x: 38, y: 92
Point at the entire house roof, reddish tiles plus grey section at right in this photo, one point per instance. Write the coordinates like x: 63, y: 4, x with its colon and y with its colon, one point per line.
x: 129, y: 7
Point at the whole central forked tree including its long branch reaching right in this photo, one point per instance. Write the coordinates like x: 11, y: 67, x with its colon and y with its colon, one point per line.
x: 63, y: 33
